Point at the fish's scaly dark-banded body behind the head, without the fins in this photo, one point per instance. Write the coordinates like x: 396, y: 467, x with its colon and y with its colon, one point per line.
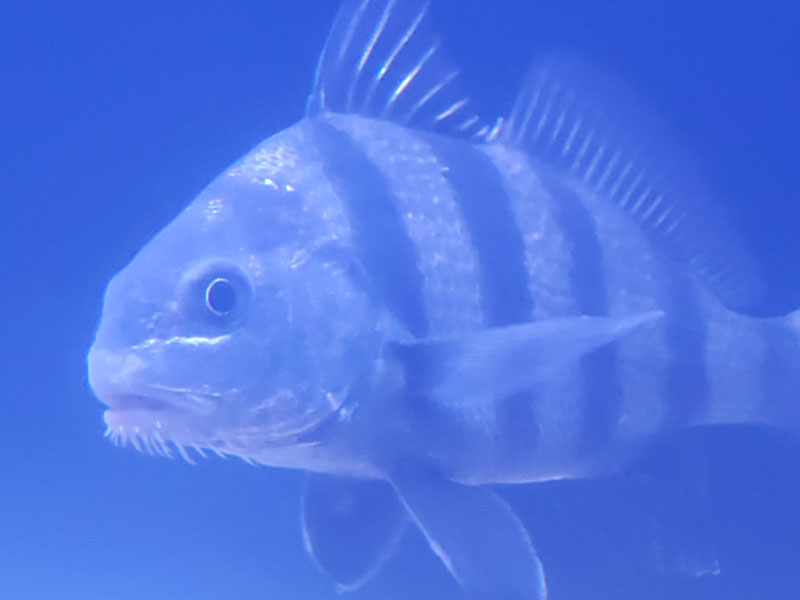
x: 454, y: 237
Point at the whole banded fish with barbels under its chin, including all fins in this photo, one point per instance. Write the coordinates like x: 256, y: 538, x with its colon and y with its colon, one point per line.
x: 413, y: 303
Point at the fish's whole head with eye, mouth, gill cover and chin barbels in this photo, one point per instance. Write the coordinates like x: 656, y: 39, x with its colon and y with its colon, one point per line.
x: 240, y: 326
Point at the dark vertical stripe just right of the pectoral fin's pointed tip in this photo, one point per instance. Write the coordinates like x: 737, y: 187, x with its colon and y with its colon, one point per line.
x: 686, y: 390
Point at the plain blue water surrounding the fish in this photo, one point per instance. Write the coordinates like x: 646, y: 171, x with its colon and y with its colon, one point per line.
x: 114, y: 115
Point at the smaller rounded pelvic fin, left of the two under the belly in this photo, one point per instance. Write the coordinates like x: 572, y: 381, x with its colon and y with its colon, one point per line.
x: 350, y: 526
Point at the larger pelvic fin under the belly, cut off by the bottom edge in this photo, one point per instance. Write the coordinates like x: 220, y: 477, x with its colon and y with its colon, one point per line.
x: 475, y: 534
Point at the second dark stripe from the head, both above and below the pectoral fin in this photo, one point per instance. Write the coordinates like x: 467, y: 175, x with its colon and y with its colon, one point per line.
x: 505, y: 297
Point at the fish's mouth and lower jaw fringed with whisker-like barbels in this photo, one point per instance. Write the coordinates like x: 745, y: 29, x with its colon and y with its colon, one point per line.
x: 154, y: 416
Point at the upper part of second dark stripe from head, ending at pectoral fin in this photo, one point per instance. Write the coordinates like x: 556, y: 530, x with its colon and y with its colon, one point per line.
x: 486, y: 208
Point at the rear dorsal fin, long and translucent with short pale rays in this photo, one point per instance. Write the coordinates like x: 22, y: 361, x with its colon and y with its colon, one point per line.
x: 569, y: 116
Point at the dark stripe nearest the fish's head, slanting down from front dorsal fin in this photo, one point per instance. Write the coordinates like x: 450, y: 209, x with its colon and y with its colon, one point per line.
x: 384, y: 248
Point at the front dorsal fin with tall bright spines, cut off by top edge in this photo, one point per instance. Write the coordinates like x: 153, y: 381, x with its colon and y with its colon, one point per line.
x: 381, y: 60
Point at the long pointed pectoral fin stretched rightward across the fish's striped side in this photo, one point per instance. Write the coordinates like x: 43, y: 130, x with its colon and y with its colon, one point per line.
x: 494, y: 363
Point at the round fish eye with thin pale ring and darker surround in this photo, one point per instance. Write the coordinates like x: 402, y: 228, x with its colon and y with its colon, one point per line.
x: 217, y: 291
